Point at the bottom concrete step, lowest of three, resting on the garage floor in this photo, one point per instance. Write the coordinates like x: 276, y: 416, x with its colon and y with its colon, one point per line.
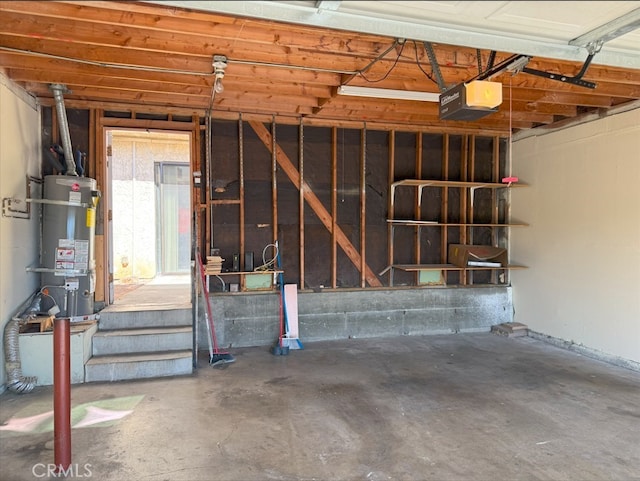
x: 139, y: 366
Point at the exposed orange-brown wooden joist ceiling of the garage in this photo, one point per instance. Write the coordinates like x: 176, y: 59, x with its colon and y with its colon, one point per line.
x: 156, y: 57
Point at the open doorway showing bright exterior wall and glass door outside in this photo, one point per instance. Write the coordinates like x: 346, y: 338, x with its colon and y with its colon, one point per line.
x: 151, y: 209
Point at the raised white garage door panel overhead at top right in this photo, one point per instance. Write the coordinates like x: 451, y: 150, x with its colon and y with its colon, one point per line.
x: 536, y: 28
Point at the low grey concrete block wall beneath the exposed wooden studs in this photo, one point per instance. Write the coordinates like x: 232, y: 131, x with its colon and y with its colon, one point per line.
x: 252, y: 319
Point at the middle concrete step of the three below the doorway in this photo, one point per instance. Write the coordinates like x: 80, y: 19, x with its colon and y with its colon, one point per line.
x: 149, y: 339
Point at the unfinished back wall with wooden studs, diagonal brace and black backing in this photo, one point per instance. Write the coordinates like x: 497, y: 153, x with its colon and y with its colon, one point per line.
x: 339, y: 236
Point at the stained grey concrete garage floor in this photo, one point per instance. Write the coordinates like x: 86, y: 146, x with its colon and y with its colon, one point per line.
x: 454, y: 407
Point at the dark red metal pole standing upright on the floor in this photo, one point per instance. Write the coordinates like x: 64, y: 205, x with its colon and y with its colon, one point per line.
x: 62, y: 393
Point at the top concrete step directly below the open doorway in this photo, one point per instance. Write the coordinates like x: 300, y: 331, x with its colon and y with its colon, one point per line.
x: 114, y: 319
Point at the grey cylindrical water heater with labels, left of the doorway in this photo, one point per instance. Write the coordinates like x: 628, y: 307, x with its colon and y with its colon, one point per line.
x: 68, y: 270
